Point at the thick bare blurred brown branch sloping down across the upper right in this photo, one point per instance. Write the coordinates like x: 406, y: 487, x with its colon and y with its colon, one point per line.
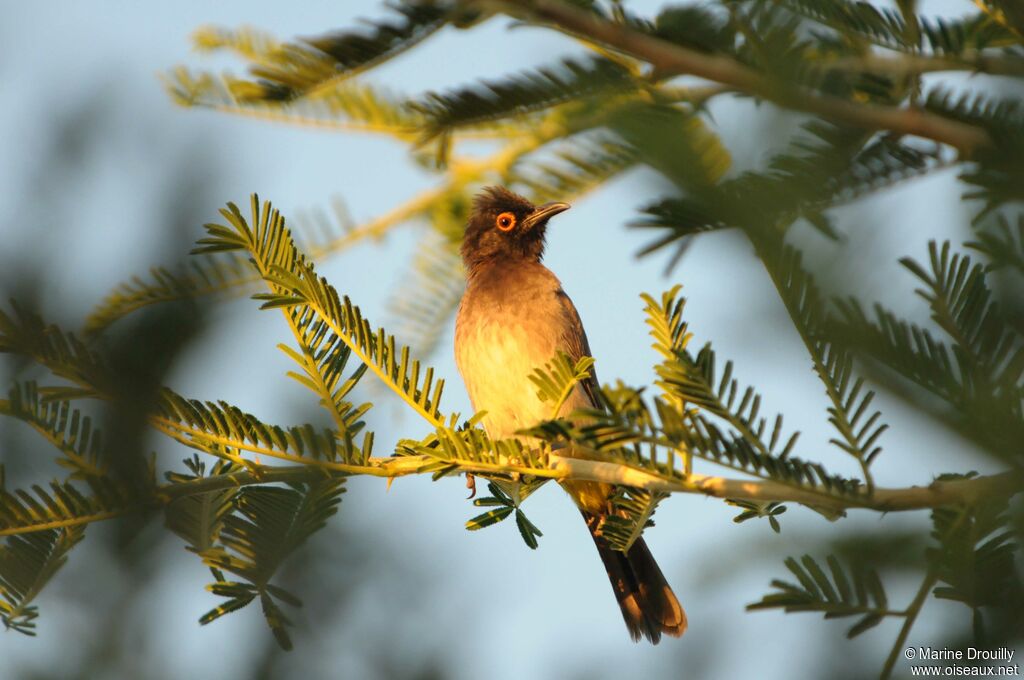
x: 670, y: 59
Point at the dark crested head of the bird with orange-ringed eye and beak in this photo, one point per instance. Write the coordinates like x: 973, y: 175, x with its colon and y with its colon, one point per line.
x: 505, y: 227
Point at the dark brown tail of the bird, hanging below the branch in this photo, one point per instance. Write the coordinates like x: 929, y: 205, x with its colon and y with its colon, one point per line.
x: 649, y: 605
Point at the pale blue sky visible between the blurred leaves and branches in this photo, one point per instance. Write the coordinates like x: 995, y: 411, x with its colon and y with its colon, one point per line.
x: 557, y: 614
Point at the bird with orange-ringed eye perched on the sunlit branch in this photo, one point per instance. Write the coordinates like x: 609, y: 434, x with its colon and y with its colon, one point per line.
x: 514, y: 318
